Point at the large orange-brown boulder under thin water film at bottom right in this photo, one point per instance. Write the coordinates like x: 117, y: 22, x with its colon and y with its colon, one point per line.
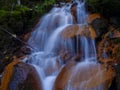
x: 84, y: 76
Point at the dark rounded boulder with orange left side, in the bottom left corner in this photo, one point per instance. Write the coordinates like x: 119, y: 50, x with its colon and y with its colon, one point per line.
x: 20, y: 76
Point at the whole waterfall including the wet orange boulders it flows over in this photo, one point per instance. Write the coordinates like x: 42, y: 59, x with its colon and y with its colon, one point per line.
x: 50, y: 43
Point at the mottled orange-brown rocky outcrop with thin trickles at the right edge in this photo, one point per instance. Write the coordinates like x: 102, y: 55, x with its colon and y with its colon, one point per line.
x: 108, y: 48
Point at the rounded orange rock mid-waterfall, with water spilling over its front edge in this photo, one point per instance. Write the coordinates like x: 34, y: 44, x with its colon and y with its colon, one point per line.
x: 76, y: 30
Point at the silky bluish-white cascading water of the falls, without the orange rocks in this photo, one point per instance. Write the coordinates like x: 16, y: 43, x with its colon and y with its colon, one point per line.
x: 46, y: 39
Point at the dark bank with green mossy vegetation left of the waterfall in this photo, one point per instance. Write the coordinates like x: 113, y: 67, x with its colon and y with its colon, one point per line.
x: 19, y: 19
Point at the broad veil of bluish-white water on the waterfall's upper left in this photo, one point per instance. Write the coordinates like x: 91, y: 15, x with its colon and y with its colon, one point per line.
x: 57, y: 18
